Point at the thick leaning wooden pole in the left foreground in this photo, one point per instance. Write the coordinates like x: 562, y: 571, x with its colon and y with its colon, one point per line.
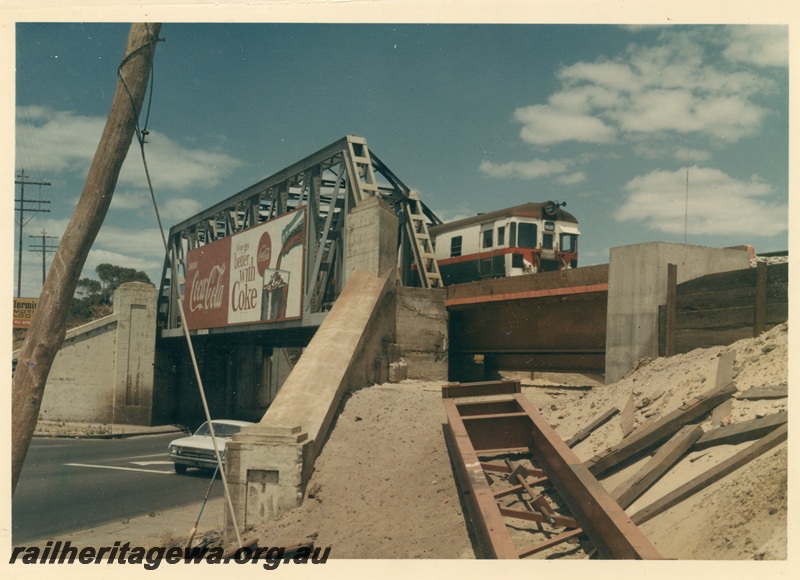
x: 48, y: 326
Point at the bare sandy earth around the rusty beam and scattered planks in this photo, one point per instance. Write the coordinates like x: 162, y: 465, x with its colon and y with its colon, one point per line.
x: 383, y: 485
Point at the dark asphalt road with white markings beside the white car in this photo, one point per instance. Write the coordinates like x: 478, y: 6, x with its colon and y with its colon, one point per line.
x: 68, y: 485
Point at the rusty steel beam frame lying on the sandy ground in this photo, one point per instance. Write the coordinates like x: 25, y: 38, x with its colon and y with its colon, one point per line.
x: 513, y: 423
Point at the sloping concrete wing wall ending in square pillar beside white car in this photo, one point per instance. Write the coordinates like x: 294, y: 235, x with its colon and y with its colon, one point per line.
x: 269, y: 465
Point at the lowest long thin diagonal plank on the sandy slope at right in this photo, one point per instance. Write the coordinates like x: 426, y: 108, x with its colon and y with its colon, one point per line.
x: 712, y: 475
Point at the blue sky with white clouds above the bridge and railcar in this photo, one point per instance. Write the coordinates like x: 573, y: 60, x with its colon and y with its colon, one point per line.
x: 475, y: 117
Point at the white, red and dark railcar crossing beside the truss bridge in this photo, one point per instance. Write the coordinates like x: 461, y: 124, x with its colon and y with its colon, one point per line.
x: 524, y: 239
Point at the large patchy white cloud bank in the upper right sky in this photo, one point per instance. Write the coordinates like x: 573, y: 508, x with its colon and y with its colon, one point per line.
x: 680, y: 86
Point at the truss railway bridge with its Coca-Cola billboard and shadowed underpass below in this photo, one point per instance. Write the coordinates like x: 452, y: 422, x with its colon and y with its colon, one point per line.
x: 257, y: 273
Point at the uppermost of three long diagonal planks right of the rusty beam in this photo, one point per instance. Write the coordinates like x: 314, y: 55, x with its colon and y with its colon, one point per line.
x: 658, y: 431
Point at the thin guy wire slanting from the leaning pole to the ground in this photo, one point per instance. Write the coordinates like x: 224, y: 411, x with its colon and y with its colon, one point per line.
x: 141, y: 134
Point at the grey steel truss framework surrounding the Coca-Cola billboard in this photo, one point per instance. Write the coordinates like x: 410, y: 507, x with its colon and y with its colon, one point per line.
x: 329, y: 184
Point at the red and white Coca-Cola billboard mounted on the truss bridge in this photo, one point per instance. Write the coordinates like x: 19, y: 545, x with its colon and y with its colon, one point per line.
x: 255, y: 275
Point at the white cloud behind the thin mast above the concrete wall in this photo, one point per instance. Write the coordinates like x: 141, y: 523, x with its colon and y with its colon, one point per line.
x: 718, y: 204
